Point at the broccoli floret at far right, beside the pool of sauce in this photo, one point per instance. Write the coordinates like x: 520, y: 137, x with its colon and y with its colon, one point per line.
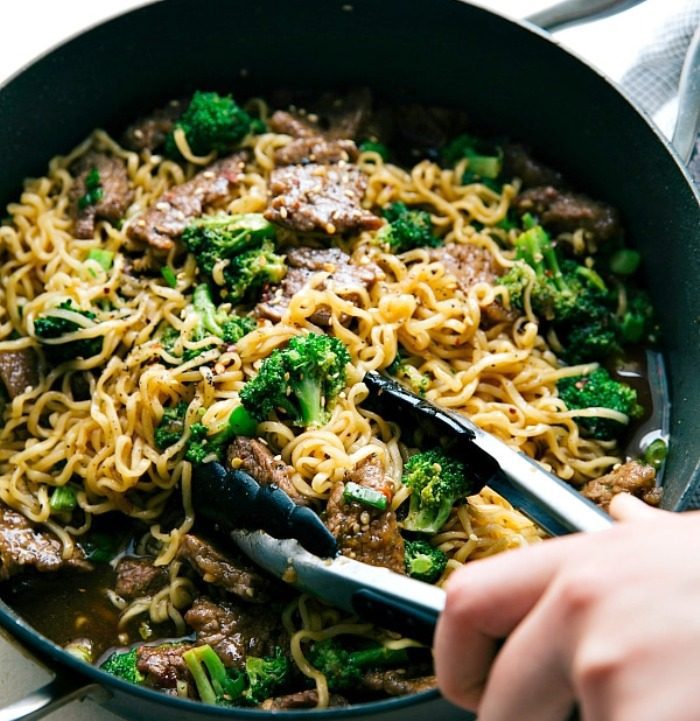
x: 599, y: 390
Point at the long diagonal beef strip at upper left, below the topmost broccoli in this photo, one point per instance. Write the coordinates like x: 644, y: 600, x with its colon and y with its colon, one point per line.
x: 165, y: 221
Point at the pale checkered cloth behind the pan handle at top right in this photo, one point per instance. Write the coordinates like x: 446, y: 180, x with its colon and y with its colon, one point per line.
x: 652, y: 81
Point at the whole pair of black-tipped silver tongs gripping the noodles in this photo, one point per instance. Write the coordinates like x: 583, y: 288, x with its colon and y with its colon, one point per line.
x: 293, y: 544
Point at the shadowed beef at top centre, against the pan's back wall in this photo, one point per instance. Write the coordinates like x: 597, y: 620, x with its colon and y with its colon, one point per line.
x: 332, y: 116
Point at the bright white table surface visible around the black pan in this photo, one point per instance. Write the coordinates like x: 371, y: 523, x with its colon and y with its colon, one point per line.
x: 31, y: 27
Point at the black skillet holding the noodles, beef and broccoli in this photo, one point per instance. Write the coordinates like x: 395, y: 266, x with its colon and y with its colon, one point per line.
x: 510, y: 77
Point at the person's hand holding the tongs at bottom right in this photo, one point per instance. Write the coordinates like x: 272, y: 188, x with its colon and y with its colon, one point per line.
x: 609, y: 621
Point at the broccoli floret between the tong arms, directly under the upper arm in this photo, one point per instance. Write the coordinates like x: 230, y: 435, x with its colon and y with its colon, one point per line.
x: 436, y: 482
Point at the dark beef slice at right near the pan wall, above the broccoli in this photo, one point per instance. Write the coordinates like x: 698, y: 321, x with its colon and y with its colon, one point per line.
x: 566, y: 212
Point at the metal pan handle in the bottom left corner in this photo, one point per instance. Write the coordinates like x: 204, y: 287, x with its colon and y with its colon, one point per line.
x: 63, y: 688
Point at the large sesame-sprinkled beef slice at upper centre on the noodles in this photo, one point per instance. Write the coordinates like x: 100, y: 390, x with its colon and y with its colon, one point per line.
x: 322, y: 198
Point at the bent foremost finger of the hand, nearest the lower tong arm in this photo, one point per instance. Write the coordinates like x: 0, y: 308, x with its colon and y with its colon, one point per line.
x: 486, y: 600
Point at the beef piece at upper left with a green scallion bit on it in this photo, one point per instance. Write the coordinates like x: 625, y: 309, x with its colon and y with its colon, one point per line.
x: 116, y: 192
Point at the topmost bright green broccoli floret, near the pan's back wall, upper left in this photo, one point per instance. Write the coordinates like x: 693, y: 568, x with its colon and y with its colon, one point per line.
x: 211, y: 122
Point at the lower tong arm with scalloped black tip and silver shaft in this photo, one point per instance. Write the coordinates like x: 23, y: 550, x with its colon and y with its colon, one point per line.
x: 292, y: 543
